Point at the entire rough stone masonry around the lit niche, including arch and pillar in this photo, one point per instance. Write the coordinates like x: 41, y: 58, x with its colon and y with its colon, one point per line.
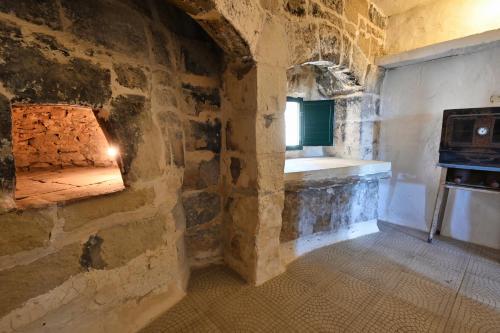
x: 193, y: 94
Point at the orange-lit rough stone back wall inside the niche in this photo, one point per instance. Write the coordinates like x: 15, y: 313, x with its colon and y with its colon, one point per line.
x: 56, y: 136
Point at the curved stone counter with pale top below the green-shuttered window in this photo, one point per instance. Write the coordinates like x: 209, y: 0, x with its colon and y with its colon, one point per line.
x: 329, y: 196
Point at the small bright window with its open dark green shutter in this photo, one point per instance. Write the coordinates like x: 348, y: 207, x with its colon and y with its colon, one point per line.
x: 308, y: 123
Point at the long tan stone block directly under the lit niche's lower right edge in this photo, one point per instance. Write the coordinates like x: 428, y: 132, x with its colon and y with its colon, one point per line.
x: 78, y: 214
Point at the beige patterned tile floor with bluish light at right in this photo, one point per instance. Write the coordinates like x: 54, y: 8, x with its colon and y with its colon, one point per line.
x: 392, y: 281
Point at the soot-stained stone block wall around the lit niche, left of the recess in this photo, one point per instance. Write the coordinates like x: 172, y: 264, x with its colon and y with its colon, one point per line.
x: 107, y: 263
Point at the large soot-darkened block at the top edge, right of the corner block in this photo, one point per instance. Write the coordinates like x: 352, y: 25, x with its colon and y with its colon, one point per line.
x: 109, y: 24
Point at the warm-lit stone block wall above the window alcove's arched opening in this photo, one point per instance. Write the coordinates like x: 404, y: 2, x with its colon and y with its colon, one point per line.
x: 350, y: 33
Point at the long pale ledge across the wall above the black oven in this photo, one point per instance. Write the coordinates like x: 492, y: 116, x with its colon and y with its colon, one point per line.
x: 461, y: 46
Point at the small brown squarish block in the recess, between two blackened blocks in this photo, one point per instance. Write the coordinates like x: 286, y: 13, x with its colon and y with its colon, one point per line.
x: 200, y: 174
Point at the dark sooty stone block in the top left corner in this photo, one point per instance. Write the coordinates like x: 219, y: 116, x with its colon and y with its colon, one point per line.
x: 39, y: 12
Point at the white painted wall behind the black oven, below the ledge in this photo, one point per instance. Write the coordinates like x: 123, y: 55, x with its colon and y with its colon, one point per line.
x: 413, y: 100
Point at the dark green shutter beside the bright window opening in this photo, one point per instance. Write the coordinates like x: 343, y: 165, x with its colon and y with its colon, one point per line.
x: 318, y: 123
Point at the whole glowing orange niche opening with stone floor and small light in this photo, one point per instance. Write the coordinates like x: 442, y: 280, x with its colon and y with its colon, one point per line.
x: 61, y: 154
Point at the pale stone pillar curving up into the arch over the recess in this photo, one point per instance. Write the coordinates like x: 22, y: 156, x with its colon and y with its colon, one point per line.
x: 252, y: 192
